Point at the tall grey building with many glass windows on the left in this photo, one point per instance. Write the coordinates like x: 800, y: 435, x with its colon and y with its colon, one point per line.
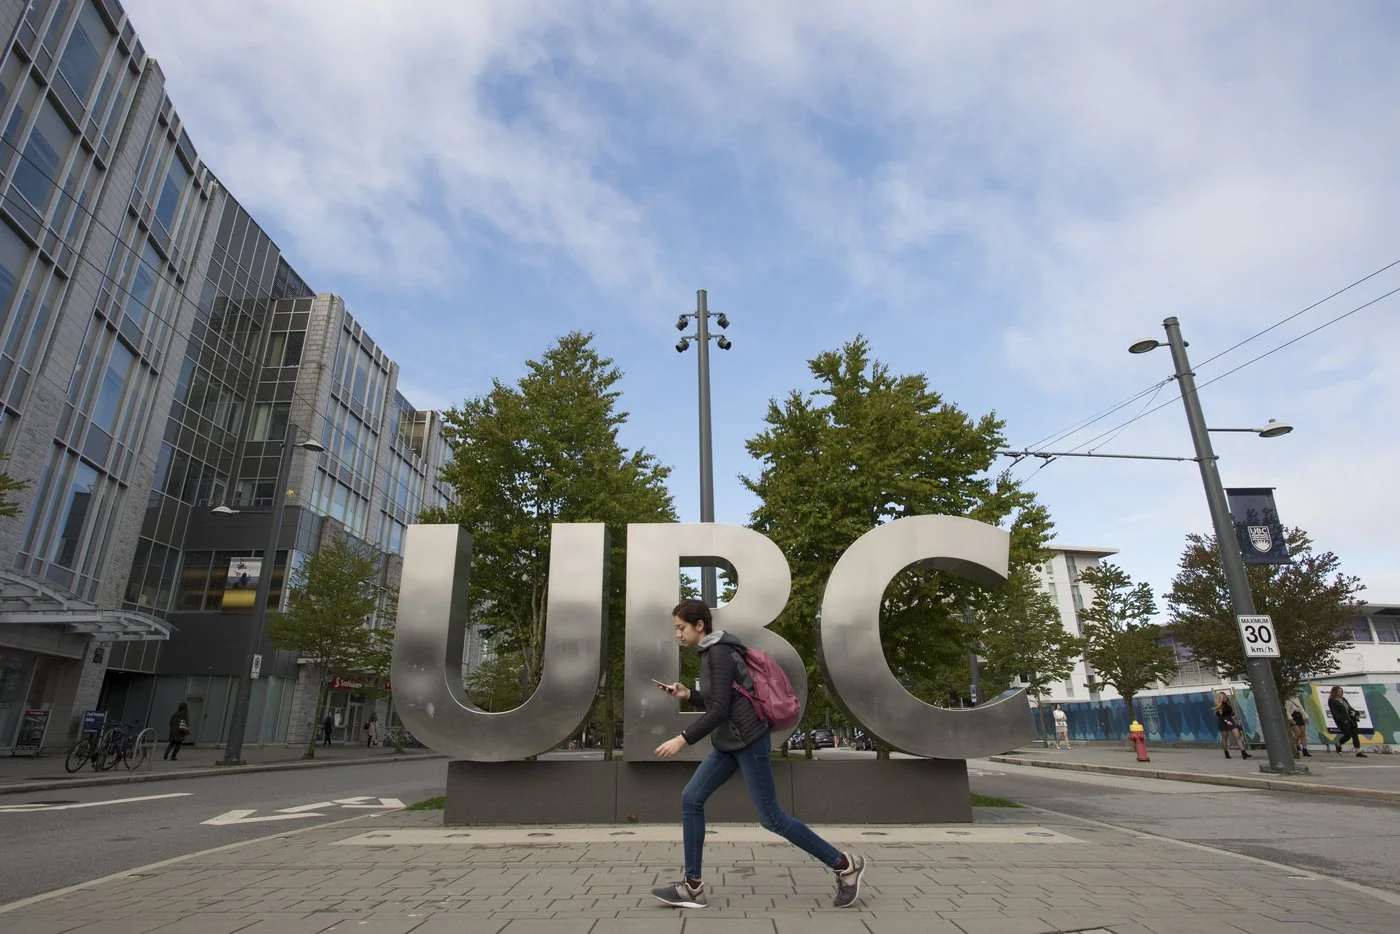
x: 155, y: 348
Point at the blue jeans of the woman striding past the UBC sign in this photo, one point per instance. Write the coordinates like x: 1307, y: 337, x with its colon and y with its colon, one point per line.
x: 758, y: 778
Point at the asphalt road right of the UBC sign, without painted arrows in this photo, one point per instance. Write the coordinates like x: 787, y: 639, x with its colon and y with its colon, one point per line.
x: 1345, y: 838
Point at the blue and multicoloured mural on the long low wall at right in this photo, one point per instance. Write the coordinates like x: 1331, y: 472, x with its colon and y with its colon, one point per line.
x: 1191, y: 718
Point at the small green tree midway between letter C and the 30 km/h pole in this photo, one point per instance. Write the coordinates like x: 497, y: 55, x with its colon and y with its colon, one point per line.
x: 1122, y: 641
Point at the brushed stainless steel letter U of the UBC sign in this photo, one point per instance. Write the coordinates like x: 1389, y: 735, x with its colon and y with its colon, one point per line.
x: 430, y: 632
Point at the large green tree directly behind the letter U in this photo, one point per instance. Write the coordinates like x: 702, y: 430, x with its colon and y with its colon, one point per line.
x: 541, y: 452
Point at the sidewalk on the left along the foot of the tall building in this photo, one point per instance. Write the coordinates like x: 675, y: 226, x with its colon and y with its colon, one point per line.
x: 47, y: 772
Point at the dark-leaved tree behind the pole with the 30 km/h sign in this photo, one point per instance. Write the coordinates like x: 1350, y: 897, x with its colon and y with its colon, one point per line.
x: 1311, y: 603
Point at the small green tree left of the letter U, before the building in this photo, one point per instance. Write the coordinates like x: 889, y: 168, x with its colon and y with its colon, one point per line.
x: 334, y: 594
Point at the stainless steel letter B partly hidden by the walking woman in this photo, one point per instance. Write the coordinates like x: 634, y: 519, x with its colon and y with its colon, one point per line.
x: 656, y: 555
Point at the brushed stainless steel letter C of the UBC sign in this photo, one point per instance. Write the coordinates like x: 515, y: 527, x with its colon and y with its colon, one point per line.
x: 850, y: 650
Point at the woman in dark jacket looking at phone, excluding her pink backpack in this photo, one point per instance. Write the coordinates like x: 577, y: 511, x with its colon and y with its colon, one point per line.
x: 740, y: 743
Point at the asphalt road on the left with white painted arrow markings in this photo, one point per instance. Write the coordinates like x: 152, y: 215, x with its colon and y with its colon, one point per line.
x: 128, y: 827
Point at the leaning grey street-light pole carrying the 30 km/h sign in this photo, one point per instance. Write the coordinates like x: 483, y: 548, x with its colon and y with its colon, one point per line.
x: 1261, y: 671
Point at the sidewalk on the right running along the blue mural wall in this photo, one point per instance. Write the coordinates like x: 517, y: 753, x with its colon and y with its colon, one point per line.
x: 1375, y: 778
